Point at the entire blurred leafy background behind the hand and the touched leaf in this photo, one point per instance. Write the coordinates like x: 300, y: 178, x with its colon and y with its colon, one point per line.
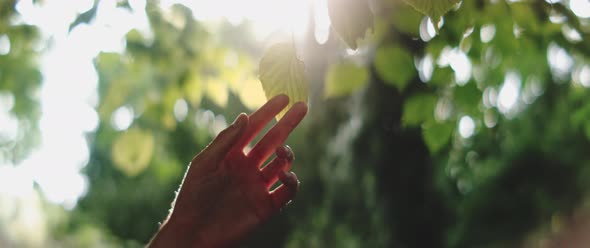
x: 474, y: 136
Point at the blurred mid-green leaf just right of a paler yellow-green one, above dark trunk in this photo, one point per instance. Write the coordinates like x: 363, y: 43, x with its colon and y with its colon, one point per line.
x: 395, y: 65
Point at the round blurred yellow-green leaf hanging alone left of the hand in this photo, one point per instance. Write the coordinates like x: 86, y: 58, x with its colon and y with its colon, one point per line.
x: 132, y: 151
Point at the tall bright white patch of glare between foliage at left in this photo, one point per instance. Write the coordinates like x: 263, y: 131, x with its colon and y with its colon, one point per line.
x: 67, y: 98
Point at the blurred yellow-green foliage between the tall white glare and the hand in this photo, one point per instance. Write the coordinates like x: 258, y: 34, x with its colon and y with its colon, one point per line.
x: 141, y: 79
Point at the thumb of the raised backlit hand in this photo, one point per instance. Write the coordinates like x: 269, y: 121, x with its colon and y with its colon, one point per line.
x: 225, y: 140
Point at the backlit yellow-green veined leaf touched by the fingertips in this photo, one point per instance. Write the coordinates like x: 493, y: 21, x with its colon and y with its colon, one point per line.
x: 281, y: 72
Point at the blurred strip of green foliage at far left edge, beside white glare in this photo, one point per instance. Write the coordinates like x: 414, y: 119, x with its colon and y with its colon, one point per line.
x: 20, y: 79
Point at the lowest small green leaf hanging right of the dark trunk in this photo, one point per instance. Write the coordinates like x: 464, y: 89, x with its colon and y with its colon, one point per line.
x: 437, y: 135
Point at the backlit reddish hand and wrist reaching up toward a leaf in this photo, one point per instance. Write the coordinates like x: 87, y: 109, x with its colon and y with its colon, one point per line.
x: 225, y: 192
